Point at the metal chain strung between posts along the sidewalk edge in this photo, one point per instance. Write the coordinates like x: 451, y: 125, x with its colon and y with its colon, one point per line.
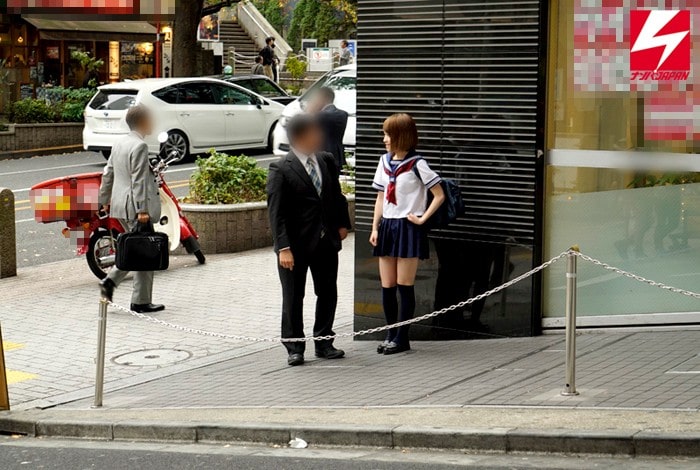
x: 436, y: 313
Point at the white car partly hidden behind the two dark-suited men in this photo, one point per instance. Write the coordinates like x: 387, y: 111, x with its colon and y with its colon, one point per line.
x: 343, y: 81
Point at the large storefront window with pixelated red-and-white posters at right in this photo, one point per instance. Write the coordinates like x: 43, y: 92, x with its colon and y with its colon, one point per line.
x: 622, y: 177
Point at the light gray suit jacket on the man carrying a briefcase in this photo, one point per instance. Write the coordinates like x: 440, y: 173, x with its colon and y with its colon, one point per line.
x: 128, y: 184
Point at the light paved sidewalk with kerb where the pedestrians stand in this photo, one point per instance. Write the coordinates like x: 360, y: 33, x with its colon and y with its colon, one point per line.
x: 640, y: 391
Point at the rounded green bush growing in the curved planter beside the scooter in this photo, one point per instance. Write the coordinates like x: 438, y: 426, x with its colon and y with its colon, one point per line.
x: 227, y: 179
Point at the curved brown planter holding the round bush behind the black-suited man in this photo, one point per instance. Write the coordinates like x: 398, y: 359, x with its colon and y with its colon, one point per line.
x: 235, y: 227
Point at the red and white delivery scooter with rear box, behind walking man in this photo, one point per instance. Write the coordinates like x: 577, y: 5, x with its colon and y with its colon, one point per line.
x: 74, y: 199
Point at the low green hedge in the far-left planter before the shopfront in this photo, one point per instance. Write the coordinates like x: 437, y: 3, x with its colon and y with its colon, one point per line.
x: 56, y: 104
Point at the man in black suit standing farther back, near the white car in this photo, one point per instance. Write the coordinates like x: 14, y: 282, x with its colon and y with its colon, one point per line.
x: 333, y: 121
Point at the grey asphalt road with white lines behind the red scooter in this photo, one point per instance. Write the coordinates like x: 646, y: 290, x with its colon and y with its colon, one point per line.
x: 43, y: 243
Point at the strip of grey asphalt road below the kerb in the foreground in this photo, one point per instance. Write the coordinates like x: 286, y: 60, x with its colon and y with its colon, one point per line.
x: 30, y: 454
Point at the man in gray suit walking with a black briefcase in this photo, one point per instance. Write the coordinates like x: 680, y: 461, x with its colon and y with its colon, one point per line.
x: 130, y: 192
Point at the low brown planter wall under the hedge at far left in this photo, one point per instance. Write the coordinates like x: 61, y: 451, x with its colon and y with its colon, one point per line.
x: 21, y: 140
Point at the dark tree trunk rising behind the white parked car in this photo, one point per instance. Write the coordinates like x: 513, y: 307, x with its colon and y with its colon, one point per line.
x: 185, y: 47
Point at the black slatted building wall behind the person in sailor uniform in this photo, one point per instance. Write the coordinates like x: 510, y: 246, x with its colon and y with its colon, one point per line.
x: 471, y: 73
